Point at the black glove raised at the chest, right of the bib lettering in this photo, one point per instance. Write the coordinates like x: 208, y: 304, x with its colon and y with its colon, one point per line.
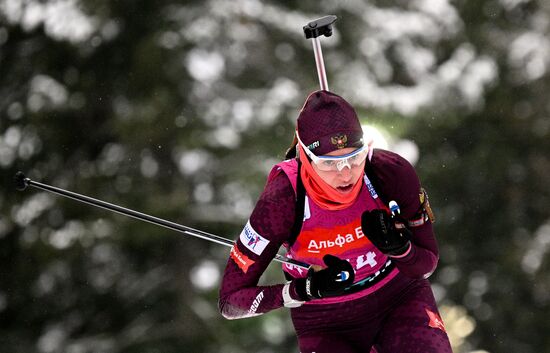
x: 380, y: 228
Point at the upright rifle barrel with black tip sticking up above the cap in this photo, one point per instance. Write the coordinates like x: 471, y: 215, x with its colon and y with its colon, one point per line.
x: 314, y: 29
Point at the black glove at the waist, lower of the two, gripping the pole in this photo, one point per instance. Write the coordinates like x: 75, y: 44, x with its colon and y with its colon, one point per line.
x: 328, y: 282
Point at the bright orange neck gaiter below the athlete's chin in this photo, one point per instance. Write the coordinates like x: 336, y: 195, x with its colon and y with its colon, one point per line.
x: 324, y: 195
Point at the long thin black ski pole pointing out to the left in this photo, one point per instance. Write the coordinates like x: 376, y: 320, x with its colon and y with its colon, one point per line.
x: 22, y: 182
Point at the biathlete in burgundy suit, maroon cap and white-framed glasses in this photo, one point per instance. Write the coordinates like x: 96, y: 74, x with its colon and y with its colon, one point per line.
x: 329, y: 207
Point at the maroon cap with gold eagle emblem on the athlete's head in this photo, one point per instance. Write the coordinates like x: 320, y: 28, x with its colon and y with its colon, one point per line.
x: 327, y: 123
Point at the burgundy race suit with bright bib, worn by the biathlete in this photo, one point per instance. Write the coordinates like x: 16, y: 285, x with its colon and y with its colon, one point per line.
x: 396, y: 310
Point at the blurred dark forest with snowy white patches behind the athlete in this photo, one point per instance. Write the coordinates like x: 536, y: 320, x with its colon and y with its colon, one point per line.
x: 178, y: 109
